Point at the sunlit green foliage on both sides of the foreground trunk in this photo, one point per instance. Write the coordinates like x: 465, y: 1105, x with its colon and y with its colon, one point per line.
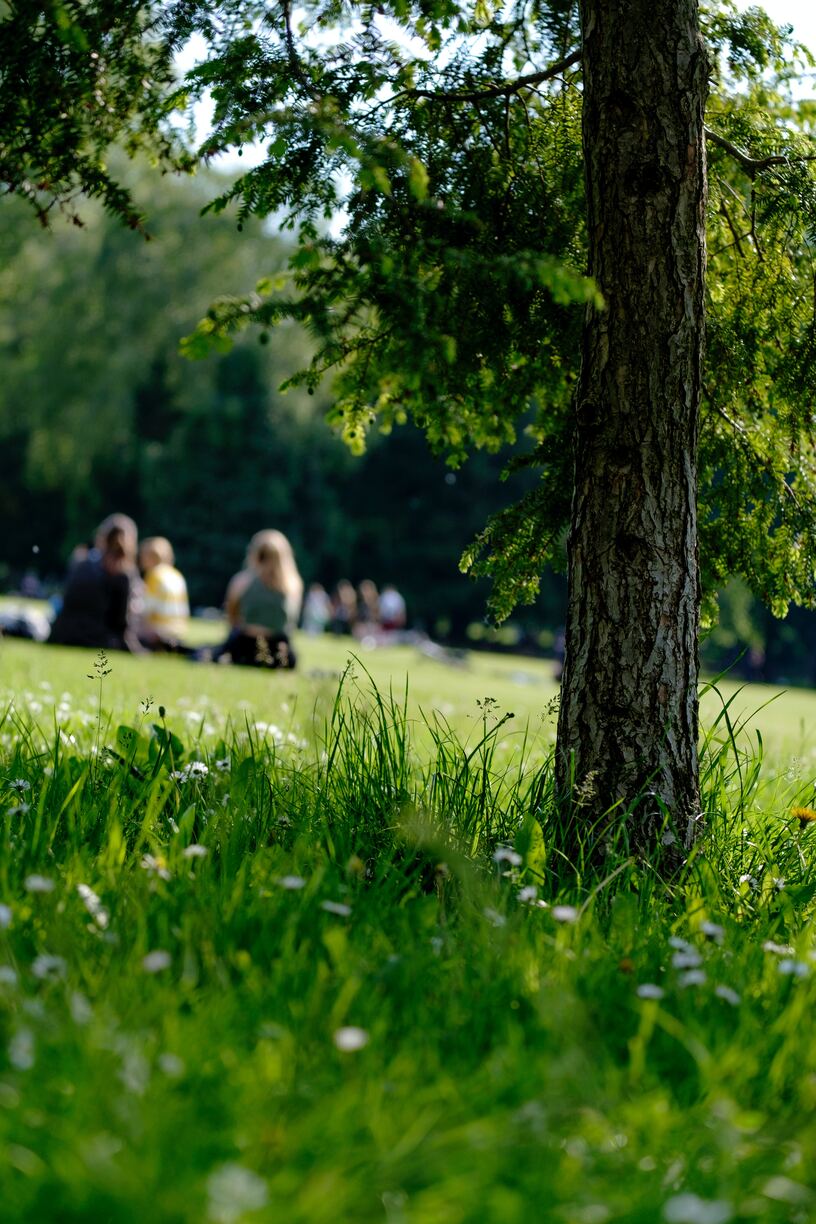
x: 428, y: 157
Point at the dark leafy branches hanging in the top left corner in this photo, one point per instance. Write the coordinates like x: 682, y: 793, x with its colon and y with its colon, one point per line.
x: 75, y: 78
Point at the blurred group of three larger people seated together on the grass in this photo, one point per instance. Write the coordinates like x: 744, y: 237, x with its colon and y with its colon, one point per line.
x: 121, y: 597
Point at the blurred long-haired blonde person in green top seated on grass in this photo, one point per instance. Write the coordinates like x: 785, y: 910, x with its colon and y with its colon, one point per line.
x: 264, y: 603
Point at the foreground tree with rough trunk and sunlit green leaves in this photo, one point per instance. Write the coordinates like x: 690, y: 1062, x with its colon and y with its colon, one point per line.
x: 448, y: 144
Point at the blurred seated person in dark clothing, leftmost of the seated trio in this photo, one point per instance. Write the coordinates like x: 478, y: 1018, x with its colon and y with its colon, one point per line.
x: 102, y: 592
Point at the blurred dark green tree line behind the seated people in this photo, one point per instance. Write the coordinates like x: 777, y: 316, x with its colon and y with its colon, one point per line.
x: 98, y: 411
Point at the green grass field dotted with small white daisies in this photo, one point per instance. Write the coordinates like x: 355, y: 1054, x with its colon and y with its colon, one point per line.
x: 273, y: 955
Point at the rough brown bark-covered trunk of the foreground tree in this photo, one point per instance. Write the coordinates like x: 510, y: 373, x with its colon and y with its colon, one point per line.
x: 628, y: 720
